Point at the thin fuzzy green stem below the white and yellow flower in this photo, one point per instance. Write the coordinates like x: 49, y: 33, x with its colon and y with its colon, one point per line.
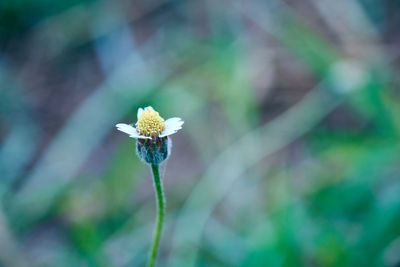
x: 160, y: 215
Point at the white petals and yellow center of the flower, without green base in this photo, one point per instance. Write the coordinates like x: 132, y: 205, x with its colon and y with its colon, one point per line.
x: 151, y: 125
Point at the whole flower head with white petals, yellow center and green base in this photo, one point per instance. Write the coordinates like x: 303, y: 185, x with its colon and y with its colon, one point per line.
x: 153, y: 145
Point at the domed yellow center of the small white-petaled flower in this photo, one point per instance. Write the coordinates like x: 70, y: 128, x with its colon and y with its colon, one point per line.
x: 150, y: 123
